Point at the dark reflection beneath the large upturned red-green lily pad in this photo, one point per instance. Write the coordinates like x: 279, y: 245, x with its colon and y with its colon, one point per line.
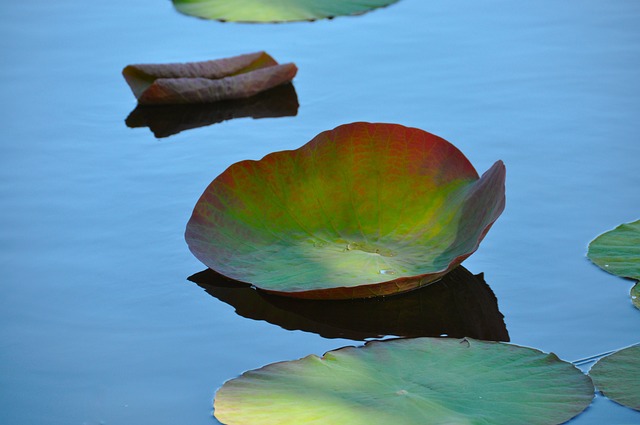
x: 459, y: 305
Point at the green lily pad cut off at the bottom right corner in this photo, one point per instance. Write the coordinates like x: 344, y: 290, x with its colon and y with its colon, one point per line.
x: 618, y: 376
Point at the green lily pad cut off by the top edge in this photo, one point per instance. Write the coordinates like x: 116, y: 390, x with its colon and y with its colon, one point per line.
x: 275, y: 11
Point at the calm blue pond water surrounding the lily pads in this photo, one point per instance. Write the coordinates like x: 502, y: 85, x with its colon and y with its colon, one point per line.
x: 98, y: 322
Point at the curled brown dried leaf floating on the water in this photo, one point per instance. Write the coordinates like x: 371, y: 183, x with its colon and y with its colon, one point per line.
x: 206, y: 82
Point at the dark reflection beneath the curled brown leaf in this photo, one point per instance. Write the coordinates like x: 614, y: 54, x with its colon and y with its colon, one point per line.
x: 167, y: 120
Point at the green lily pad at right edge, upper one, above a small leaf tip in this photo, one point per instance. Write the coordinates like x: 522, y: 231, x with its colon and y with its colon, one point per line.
x: 618, y: 251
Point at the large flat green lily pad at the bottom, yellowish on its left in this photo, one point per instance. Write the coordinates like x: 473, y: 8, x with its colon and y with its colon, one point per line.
x: 407, y: 382
